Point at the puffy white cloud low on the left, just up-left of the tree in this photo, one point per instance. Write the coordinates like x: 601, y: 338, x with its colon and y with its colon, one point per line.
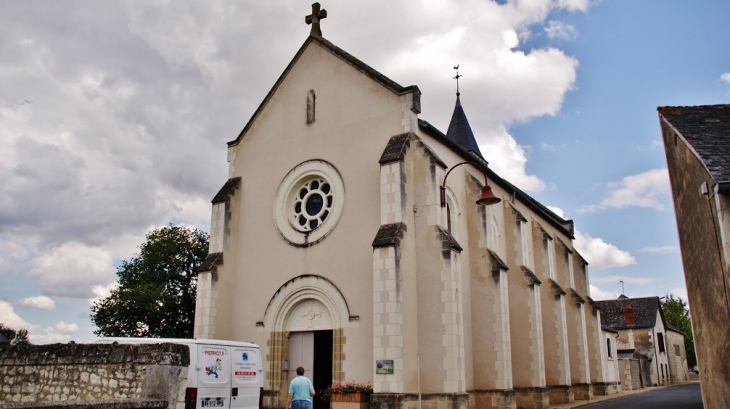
x: 72, y: 269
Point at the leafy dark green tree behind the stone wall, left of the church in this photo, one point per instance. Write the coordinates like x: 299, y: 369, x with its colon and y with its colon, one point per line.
x: 155, y: 296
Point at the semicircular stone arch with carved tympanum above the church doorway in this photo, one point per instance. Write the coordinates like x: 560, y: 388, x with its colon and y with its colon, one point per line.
x: 307, y: 303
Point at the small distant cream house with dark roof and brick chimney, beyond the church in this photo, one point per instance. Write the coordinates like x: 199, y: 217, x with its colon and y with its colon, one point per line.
x: 641, y: 331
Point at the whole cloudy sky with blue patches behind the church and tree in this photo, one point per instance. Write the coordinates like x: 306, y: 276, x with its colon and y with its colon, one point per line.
x: 114, y: 117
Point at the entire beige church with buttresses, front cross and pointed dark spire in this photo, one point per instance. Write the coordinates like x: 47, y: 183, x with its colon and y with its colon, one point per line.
x: 347, y: 240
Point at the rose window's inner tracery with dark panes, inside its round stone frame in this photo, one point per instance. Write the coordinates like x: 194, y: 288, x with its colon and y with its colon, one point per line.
x: 312, y: 204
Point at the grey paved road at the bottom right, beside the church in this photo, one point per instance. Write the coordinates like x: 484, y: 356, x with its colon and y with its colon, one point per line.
x: 687, y: 396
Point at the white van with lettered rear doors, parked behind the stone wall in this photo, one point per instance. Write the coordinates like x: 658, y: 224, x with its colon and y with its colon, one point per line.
x: 222, y: 374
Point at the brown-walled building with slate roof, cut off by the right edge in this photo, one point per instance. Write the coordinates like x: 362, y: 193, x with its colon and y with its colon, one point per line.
x: 697, y: 145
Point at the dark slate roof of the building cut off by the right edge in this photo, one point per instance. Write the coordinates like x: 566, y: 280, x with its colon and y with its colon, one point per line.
x: 707, y: 129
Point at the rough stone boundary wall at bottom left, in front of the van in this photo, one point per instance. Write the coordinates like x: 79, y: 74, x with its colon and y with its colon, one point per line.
x: 93, y: 375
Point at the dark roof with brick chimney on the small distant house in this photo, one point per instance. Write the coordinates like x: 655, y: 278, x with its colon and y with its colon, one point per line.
x: 645, y: 309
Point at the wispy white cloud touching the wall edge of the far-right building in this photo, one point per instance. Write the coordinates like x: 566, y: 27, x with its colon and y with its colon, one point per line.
x: 649, y: 189
